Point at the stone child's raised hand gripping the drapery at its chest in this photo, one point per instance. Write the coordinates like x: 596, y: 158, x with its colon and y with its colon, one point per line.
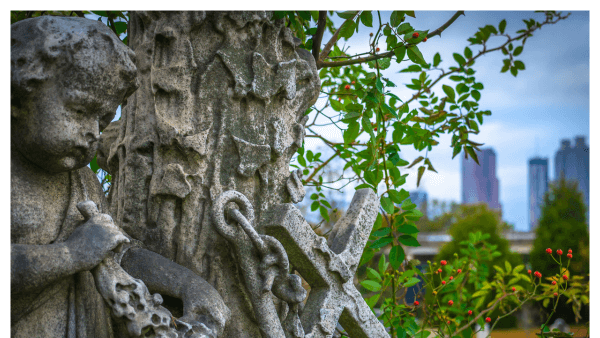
x: 90, y: 243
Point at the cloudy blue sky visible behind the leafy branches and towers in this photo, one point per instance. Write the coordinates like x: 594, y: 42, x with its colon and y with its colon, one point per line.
x: 531, y: 113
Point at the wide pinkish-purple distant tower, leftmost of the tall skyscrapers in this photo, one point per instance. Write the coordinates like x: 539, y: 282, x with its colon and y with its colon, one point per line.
x: 479, y: 182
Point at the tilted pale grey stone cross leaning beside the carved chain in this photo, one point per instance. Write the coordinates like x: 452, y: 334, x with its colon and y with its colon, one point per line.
x: 329, y: 266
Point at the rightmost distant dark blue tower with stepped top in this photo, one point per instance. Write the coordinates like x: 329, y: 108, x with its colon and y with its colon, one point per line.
x: 573, y: 163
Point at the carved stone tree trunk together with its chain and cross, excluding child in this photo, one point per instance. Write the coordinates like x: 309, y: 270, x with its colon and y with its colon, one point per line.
x: 200, y: 166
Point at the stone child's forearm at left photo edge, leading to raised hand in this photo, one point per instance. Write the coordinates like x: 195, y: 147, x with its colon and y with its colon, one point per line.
x: 36, y: 266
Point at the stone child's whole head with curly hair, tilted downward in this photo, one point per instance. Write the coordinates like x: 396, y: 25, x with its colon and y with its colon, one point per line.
x: 68, y: 76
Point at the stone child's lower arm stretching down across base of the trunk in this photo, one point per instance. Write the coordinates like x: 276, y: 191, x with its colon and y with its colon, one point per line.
x: 200, y: 300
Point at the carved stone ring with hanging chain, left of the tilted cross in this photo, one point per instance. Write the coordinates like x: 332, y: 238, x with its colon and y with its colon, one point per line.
x: 267, y: 271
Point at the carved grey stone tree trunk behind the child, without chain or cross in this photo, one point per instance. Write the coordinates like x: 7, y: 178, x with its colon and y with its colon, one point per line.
x: 221, y: 107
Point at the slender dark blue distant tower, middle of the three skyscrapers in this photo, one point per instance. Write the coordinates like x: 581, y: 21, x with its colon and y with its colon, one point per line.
x: 538, y: 185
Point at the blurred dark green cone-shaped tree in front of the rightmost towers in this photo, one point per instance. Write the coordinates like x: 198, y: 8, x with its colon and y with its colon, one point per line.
x: 562, y: 225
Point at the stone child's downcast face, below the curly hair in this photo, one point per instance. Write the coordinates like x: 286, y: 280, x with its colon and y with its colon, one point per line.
x: 58, y: 128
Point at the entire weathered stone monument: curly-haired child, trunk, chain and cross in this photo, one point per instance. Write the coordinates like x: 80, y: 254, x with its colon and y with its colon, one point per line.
x: 204, y: 226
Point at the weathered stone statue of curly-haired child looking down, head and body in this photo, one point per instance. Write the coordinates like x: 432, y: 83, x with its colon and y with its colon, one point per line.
x: 73, y: 273
